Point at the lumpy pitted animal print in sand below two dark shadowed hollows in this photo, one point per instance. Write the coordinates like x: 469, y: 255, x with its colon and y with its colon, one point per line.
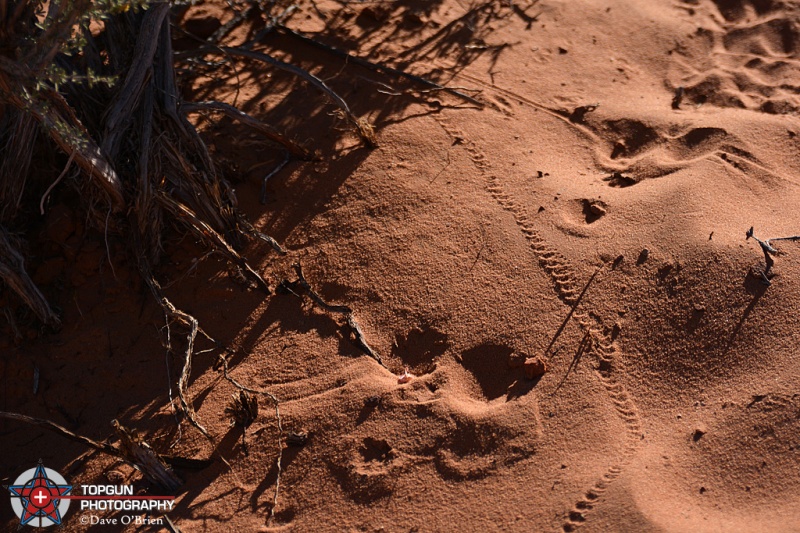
x: 459, y: 442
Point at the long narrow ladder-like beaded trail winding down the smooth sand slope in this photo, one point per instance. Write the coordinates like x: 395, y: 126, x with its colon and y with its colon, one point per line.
x: 600, y: 345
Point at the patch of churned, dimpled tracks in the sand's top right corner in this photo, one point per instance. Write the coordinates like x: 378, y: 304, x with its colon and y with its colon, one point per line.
x: 744, y: 54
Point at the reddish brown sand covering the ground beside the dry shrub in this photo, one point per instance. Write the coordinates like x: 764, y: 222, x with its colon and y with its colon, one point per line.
x: 466, y: 241
